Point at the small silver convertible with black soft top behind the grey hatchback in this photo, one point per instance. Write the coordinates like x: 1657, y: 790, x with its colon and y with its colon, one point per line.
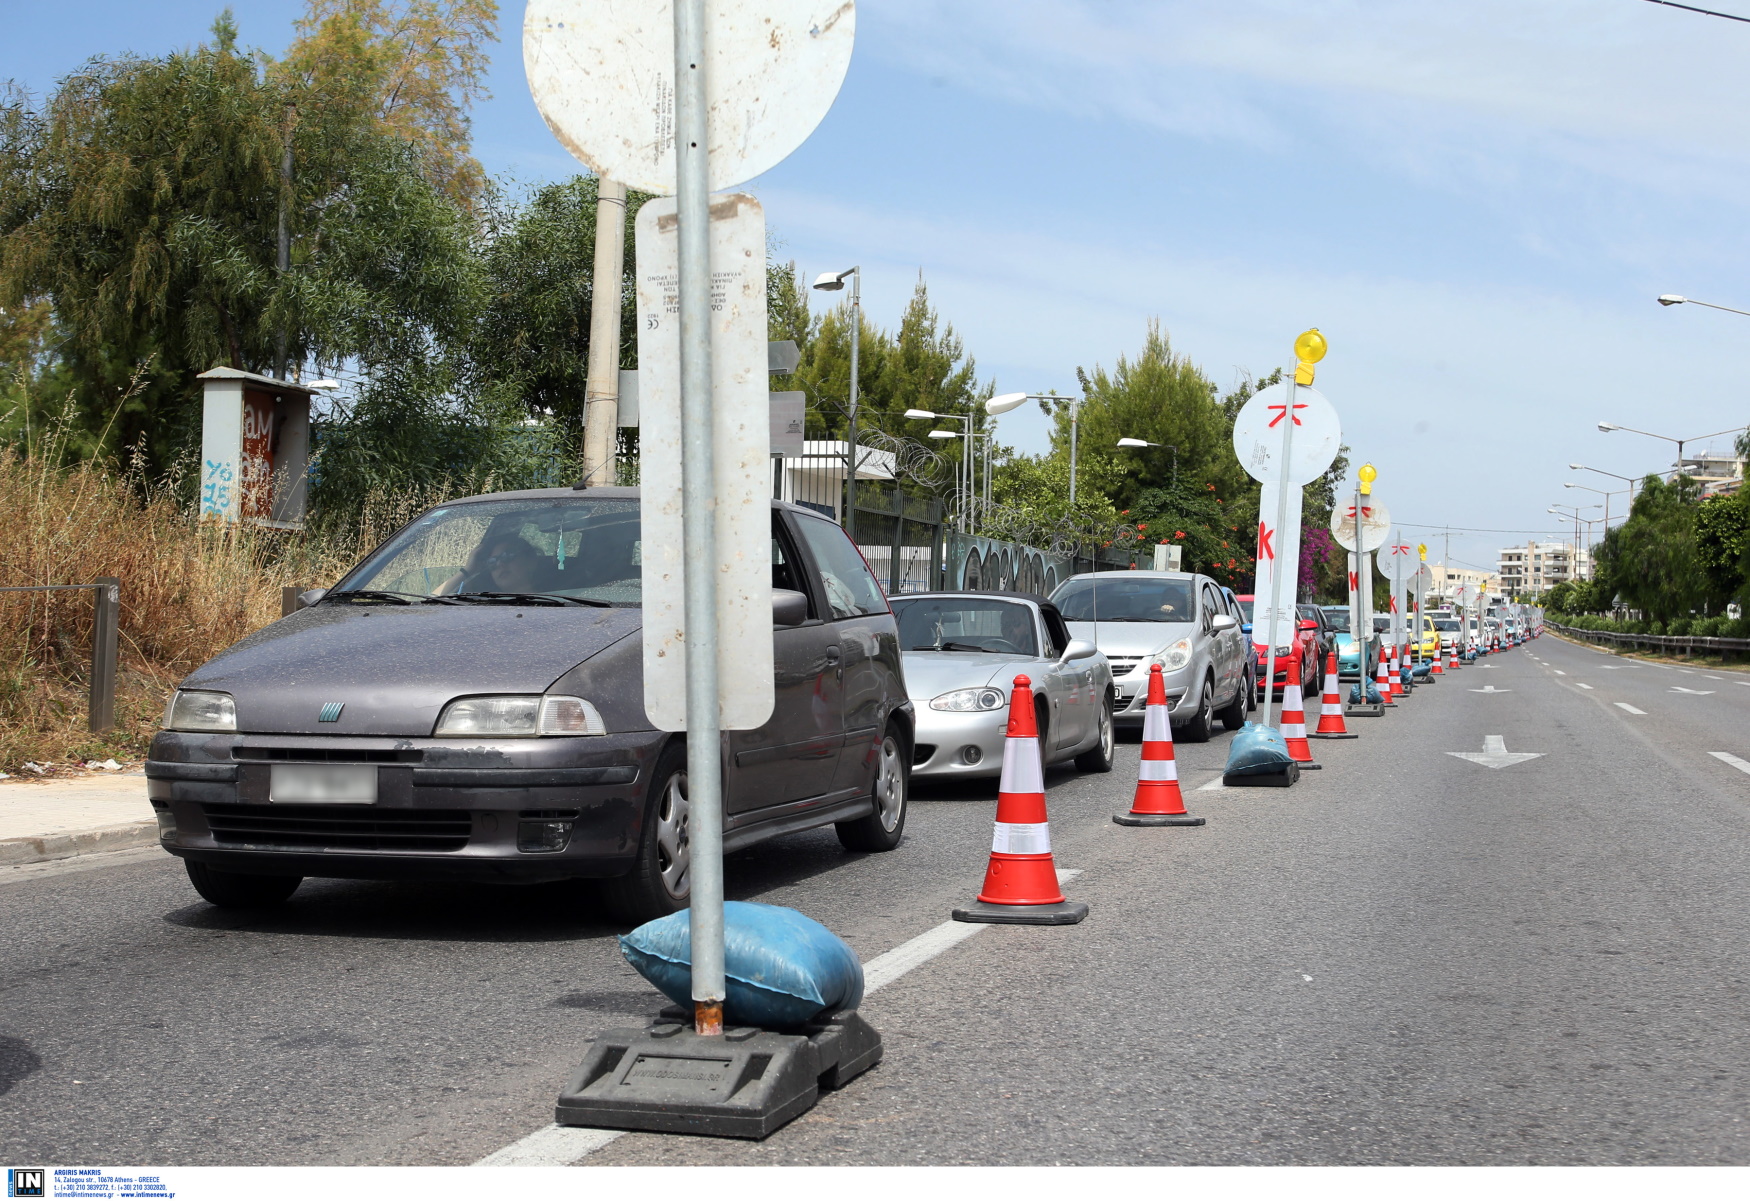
x: 962, y: 654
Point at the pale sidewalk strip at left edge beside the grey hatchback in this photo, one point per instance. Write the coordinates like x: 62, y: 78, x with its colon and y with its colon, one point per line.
x: 60, y: 818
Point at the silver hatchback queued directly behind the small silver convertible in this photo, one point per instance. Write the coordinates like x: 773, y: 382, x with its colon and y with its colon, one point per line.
x: 1175, y: 619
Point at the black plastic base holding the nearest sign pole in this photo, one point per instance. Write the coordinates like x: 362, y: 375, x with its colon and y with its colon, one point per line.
x: 741, y: 1085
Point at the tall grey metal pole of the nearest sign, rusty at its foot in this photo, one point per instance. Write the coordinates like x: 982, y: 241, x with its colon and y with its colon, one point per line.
x: 699, y: 524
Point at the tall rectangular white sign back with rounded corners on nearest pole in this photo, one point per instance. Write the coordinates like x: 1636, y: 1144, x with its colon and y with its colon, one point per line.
x: 743, y: 439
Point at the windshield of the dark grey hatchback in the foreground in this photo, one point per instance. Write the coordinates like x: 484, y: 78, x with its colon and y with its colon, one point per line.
x: 550, y: 552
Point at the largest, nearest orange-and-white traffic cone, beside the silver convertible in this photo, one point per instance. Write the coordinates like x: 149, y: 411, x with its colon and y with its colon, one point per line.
x: 1021, y: 885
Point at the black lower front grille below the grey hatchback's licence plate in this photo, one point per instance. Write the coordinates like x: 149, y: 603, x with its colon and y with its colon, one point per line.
x: 339, y: 829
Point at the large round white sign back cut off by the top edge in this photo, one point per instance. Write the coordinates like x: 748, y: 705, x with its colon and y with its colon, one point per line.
x: 603, y: 76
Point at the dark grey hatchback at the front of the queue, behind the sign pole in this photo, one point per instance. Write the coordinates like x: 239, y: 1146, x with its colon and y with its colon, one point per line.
x: 468, y: 703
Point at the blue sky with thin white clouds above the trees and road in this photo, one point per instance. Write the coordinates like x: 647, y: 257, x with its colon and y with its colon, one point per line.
x: 1476, y: 204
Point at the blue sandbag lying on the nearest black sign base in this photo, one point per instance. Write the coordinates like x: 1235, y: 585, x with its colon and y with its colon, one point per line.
x: 780, y: 967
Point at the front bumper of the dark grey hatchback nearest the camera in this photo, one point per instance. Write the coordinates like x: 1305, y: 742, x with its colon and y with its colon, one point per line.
x: 444, y: 810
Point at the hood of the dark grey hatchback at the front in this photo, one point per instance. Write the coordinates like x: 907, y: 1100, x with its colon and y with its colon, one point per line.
x: 395, y: 668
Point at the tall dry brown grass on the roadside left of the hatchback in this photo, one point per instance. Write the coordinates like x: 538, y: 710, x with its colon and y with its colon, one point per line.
x: 188, y: 591
